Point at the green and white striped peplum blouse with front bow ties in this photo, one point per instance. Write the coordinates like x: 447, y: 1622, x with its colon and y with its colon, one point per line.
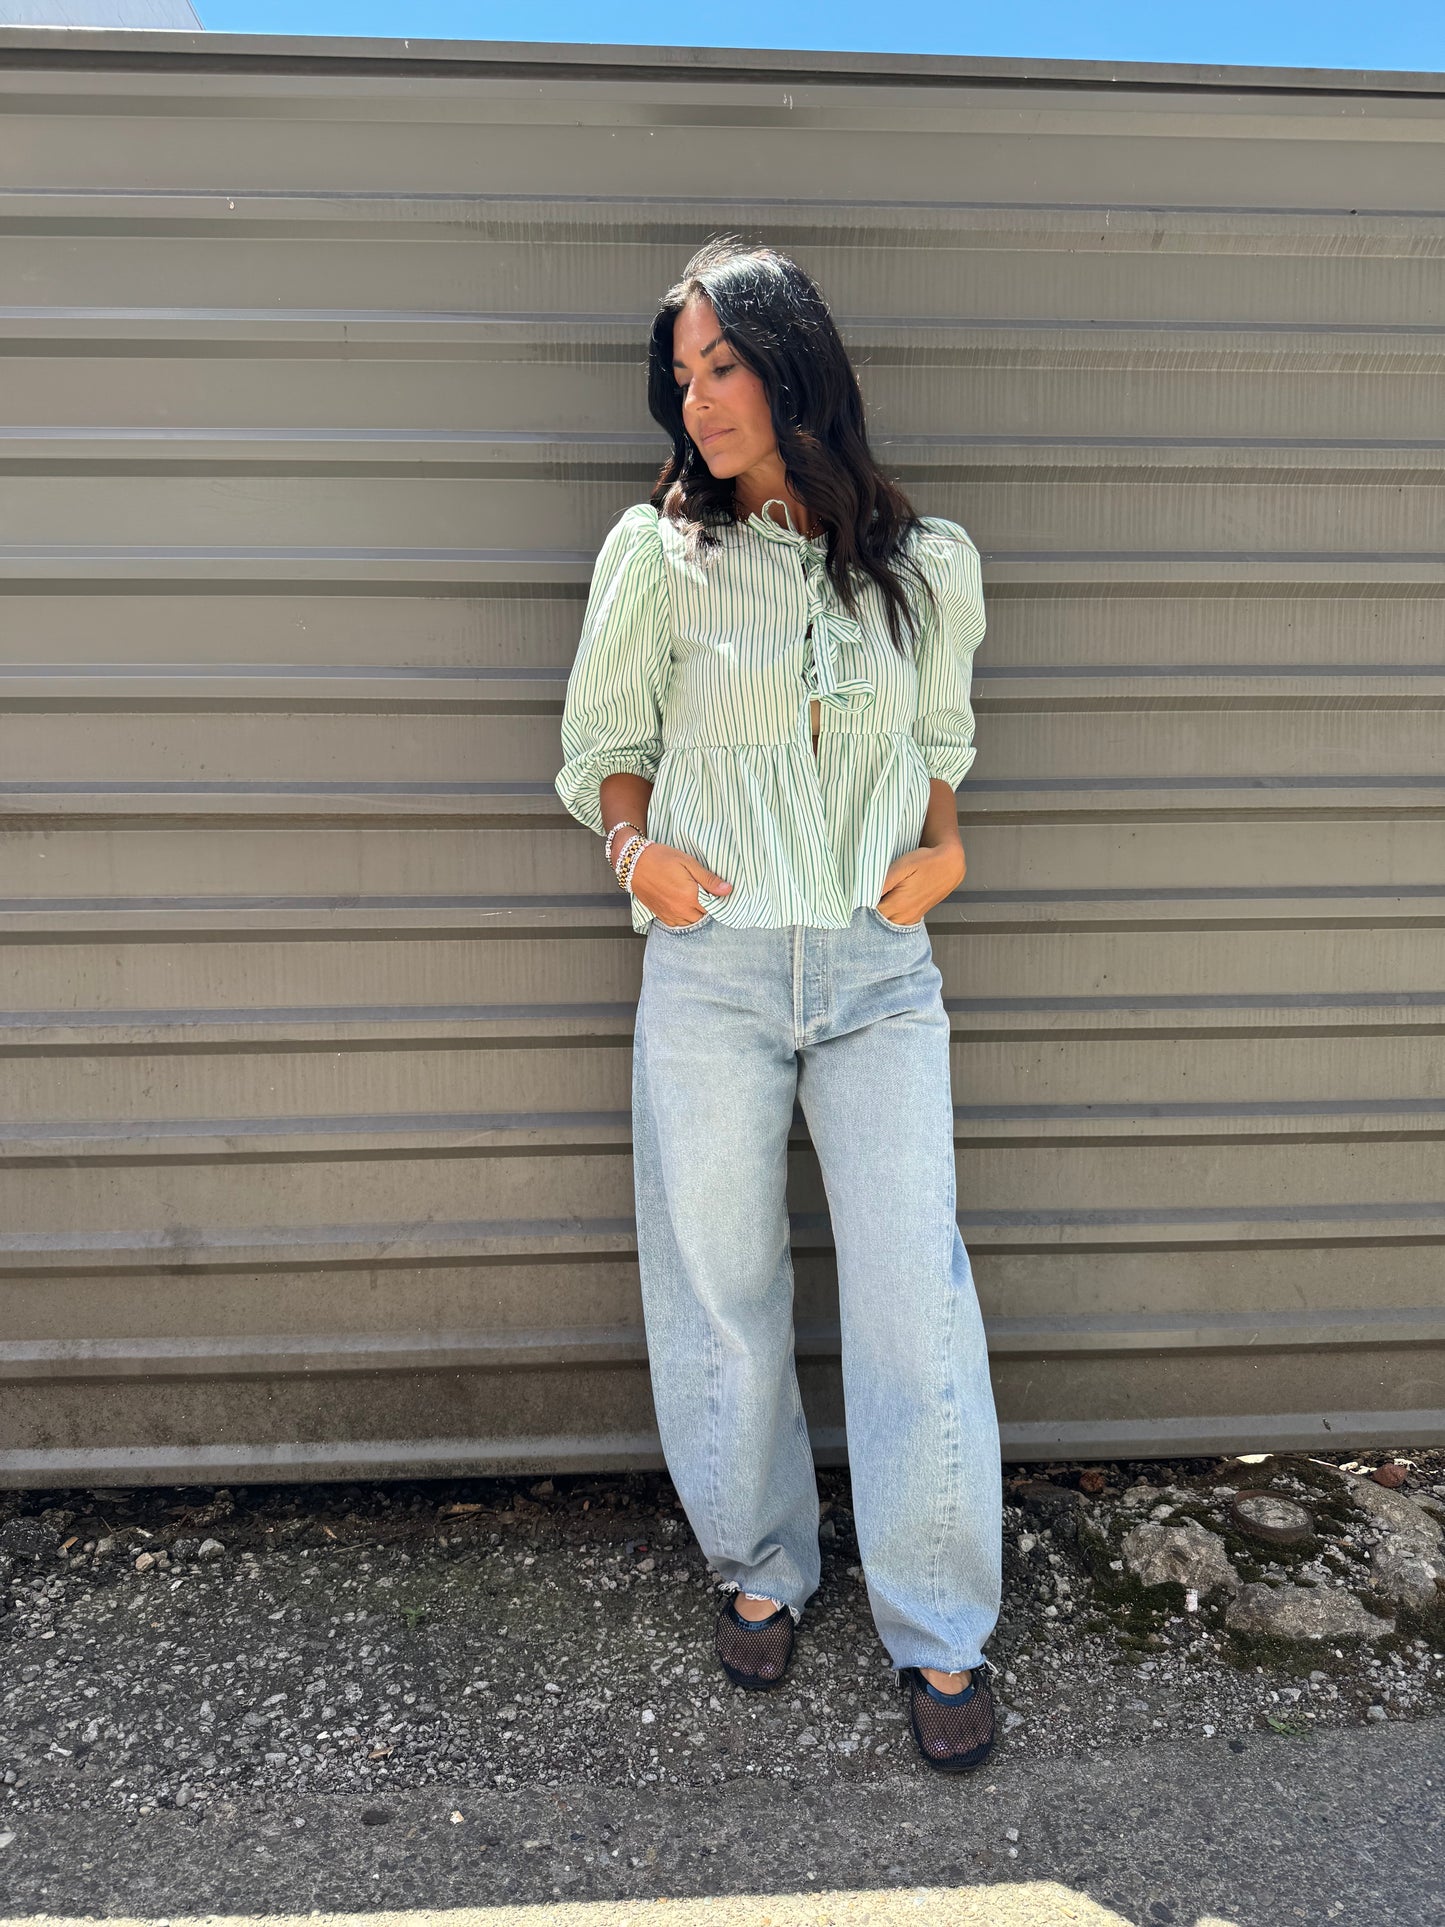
x: 700, y: 677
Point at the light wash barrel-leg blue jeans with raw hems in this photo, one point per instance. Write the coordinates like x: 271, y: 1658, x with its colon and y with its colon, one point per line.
x: 733, y: 1028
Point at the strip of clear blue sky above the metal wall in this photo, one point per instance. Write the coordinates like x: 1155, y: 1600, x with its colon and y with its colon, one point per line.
x: 1274, y: 34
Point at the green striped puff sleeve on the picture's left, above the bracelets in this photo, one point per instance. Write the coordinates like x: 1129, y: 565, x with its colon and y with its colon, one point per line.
x: 614, y: 708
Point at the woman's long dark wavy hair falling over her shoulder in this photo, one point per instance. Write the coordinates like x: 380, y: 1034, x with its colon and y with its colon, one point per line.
x: 779, y: 325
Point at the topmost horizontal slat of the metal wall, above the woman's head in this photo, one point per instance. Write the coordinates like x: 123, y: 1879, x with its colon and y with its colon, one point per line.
x: 874, y: 144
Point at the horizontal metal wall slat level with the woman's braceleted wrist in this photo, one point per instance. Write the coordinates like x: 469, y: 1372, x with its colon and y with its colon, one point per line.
x: 1055, y: 849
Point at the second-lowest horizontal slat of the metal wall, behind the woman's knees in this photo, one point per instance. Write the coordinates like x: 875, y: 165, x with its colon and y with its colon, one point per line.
x: 1115, y: 1290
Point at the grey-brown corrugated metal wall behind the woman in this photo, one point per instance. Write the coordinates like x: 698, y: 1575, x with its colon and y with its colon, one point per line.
x: 321, y: 379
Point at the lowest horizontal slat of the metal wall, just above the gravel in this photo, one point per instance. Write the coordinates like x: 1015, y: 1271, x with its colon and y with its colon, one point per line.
x: 236, y: 1433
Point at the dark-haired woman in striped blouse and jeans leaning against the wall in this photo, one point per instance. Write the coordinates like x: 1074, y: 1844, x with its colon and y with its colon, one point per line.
x: 768, y: 722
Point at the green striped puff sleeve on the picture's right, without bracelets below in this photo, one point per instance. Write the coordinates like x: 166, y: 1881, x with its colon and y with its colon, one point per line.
x: 943, y: 726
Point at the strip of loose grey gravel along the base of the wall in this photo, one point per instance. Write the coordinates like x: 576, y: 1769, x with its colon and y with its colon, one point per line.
x: 190, y: 1649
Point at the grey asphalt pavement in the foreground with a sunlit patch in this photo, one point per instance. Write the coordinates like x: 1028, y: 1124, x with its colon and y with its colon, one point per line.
x: 1340, y: 1826
